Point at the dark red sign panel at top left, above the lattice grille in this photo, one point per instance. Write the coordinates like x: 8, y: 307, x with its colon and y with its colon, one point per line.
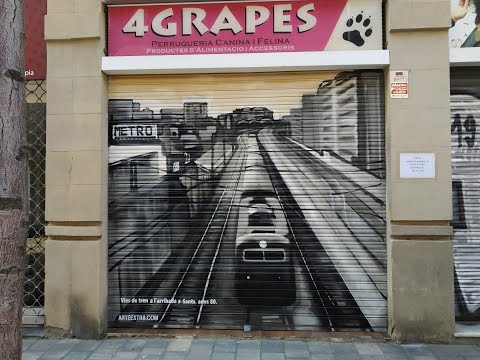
x: 35, y: 46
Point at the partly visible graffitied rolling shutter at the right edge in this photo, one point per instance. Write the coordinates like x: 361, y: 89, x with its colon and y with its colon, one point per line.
x: 465, y: 111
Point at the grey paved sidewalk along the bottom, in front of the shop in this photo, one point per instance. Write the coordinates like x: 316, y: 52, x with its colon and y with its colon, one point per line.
x: 238, y: 349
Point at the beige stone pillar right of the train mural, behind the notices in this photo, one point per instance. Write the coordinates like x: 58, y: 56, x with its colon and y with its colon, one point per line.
x: 420, y: 253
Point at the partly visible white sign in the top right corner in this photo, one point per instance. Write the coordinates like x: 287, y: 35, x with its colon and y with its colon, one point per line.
x: 465, y: 32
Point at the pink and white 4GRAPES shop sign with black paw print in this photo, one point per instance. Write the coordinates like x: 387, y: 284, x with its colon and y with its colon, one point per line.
x: 244, y: 27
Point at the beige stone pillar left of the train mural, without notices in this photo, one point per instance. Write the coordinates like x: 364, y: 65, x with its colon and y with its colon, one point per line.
x: 76, y: 168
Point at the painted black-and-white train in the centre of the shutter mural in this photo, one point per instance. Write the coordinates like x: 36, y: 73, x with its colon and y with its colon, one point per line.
x: 264, y: 273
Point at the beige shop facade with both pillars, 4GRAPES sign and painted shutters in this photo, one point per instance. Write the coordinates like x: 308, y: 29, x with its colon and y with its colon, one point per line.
x: 262, y: 166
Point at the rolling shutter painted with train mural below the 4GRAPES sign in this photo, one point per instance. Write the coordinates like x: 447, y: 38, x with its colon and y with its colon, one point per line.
x: 247, y: 201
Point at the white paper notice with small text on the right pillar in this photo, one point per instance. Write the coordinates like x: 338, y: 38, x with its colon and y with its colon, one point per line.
x: 417, y: 166
